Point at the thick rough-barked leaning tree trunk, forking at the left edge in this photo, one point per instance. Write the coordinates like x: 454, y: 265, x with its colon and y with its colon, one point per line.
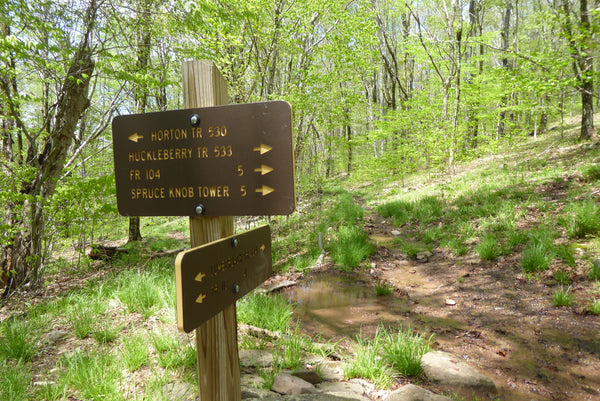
x: 22, y: 259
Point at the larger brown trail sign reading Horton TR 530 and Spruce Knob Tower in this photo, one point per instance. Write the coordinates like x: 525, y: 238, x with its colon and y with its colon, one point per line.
x: 233, y: 160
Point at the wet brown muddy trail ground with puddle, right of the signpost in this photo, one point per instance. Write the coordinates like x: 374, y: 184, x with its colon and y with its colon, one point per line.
x: 485, y: 312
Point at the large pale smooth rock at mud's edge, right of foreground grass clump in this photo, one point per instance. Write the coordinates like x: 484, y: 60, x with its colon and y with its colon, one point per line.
x: 446, y: 369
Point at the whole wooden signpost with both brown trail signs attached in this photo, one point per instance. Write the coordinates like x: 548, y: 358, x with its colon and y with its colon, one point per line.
x: 210, y: 163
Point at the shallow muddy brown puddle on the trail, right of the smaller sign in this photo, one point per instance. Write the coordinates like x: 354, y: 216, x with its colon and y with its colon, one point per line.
x: 336, y: 304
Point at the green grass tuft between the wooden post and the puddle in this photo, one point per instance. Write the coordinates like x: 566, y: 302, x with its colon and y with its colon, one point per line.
x: 271, y: 312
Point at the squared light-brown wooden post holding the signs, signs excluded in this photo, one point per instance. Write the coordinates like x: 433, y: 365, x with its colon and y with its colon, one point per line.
x: 216, y: 340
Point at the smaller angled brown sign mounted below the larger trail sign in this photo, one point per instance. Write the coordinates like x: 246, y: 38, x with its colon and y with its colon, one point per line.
x: 213, y: 276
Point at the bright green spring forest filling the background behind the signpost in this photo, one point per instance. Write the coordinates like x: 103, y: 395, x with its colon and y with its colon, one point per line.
x: 378, y: 88
